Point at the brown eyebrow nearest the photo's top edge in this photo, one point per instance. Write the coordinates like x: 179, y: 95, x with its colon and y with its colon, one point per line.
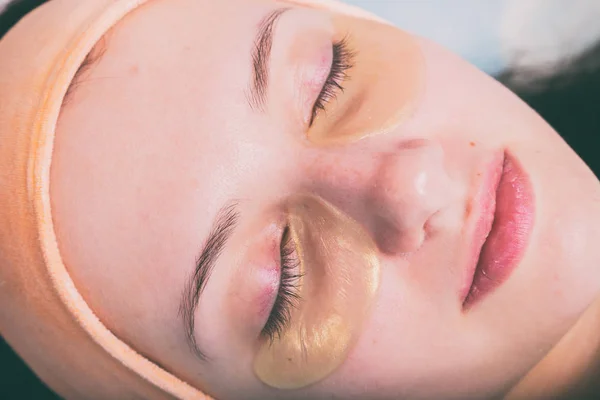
x: 261, y: 55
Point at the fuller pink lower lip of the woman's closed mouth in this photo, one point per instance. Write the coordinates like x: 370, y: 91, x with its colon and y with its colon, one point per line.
x: 510, y: 232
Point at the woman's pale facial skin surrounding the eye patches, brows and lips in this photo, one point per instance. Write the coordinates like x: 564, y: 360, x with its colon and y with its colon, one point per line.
x: 158, y: 136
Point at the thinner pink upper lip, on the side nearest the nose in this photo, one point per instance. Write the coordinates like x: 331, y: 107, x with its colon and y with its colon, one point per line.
x: 483, y: 206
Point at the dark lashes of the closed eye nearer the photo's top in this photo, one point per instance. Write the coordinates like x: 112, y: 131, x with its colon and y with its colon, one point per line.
x: 342, y: 61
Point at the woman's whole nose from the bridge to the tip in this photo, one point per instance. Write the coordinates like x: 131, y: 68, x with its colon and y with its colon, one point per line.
x: 393, y: 192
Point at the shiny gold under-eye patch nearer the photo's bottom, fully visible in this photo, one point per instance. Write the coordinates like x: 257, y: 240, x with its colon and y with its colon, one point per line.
x: 340, y: 277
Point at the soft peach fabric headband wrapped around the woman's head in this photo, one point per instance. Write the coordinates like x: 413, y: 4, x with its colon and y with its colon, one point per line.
x: 43, y: 316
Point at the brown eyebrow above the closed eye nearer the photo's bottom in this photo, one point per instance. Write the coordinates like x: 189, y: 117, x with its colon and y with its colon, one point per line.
x: 222, y: 229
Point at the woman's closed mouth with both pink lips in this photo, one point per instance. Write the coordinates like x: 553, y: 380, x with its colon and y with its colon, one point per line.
x: 502, y: 231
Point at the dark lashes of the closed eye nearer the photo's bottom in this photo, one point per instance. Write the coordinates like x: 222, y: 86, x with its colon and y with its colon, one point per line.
x: 288, y: 292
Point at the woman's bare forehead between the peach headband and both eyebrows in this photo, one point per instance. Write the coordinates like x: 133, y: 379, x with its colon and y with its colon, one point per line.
x: 142, y: 147
